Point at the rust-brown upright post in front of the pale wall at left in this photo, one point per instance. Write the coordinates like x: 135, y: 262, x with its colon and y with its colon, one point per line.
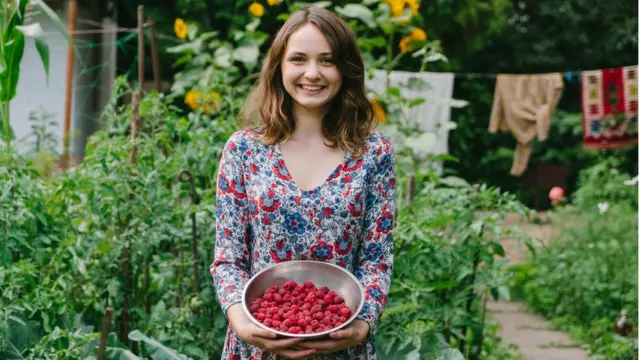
x: 71, y: 25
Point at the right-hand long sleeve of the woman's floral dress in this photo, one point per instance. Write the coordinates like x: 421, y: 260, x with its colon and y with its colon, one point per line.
x: 375, y: 255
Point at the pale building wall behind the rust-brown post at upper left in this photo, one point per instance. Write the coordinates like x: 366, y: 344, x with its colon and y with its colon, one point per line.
x: 91, y: 84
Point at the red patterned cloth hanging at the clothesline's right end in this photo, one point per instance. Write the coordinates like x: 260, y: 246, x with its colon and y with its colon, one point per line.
x: 610, y: 107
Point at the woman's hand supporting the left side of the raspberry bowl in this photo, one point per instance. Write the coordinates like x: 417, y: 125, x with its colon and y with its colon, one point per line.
x: 251, y: 333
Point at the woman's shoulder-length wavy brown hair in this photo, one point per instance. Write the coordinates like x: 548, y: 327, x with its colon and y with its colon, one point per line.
x: 350, y: 116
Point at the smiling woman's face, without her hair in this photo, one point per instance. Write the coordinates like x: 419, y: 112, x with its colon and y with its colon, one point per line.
x: 309, y: 74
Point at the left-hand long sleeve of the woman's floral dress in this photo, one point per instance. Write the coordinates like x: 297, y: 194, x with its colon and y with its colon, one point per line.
x: 231, y: 264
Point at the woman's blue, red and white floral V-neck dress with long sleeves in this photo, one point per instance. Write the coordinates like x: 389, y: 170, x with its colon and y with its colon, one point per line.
x: 263, y: 218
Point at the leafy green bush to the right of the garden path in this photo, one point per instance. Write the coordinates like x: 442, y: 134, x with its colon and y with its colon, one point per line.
x: 588, y: 274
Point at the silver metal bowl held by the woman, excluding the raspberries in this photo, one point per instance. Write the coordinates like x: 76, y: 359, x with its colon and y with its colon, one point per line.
x: 320, y: 273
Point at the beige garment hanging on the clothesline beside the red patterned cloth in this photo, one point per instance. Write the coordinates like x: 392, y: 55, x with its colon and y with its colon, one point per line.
x: 523, y: 105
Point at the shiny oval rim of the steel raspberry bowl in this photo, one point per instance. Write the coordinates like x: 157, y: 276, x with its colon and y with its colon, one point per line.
x: 314, y: 335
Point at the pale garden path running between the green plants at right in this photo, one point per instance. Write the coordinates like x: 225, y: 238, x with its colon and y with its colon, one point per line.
x: 531, y: 334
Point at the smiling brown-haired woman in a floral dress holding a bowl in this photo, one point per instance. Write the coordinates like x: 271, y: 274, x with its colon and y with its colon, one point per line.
x: 313, y: 180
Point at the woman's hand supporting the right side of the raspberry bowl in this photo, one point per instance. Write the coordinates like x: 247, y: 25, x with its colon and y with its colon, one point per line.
x: 345, y: 338
